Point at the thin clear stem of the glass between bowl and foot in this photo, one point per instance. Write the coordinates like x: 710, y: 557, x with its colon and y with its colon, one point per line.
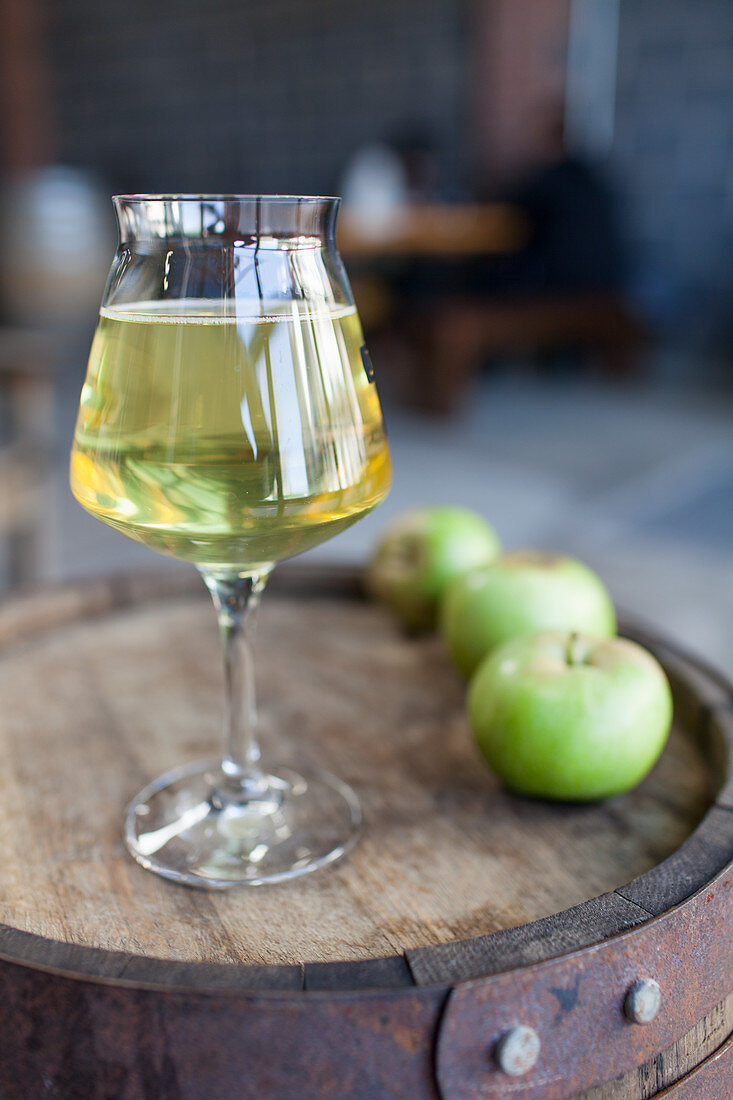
x: 236, y: 599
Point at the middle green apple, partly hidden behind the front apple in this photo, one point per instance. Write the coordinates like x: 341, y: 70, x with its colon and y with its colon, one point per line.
x: 522, y: 592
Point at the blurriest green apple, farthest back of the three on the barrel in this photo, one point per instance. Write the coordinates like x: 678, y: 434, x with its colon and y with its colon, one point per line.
x: 420, y: 556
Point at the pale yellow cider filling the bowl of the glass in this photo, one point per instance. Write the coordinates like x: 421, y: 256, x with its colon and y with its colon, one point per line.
x: 229, y: 442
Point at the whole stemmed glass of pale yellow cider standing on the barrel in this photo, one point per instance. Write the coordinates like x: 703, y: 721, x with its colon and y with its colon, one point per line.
x: 231, y: 419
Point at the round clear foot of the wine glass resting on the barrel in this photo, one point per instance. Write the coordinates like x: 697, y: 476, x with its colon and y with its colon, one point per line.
x: 193, y: 826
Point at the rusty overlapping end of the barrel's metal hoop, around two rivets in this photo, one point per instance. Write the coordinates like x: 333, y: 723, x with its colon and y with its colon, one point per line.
x: 576, y: 1005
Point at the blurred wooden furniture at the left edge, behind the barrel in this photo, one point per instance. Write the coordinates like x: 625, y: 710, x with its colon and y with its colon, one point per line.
x: 26, y: 427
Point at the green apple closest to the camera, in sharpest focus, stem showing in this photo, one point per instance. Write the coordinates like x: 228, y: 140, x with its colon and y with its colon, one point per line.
x: 571, y: 717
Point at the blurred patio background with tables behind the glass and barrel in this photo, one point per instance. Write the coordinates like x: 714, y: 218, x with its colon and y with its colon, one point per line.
x: 539, y: 222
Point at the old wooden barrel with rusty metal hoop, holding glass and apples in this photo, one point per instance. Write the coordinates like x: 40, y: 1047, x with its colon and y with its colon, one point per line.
x: 468, y: 932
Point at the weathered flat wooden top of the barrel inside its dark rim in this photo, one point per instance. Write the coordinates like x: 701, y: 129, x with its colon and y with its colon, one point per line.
x: 96, y: 699
